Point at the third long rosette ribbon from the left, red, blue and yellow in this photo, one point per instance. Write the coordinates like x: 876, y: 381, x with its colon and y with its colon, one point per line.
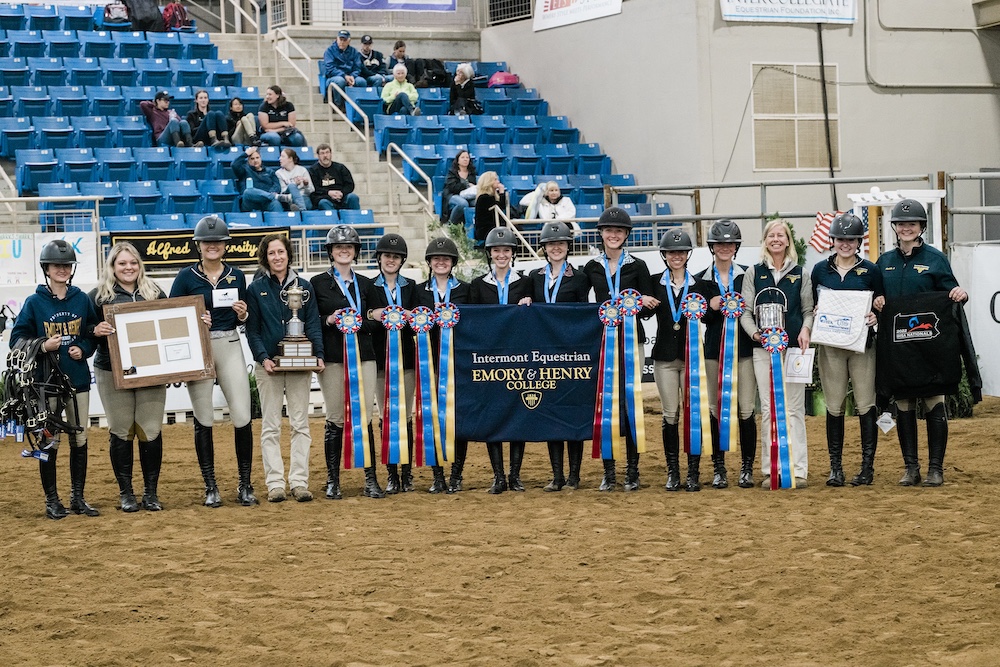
x: 426, y: 434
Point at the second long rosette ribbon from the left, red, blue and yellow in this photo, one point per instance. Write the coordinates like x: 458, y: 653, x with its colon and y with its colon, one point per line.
x: 394, y: 428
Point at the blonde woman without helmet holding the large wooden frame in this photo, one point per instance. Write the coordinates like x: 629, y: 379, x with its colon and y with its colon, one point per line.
x: 130, y: 412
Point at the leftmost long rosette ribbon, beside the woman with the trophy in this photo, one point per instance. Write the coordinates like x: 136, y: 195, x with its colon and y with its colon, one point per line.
x: 357, y: 445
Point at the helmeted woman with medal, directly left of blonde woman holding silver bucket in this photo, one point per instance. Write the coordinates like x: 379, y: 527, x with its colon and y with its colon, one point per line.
x: 724, y: 239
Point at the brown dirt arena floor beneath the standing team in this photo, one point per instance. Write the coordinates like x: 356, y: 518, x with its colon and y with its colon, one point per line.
x: 882, y: 575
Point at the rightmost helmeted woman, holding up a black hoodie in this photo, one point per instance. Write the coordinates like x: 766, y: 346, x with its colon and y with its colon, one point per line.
x: 912, y: 267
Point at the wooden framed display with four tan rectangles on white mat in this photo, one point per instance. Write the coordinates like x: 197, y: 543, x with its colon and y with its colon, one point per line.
x: 158, y: 342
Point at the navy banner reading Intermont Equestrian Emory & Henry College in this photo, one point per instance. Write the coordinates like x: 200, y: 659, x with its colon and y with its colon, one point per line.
x: 527, y: 372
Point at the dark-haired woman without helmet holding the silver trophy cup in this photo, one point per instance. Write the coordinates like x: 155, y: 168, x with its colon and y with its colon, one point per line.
x: 268, y: 314
